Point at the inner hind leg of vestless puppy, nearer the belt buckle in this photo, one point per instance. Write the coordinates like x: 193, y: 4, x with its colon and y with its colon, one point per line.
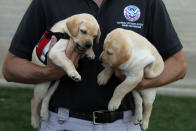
x: 137, y: 118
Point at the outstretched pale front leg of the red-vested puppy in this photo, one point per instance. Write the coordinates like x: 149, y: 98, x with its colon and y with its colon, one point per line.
x: 57, y: 55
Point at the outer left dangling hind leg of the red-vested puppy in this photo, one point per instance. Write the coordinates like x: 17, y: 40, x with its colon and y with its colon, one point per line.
x: 40, y: 91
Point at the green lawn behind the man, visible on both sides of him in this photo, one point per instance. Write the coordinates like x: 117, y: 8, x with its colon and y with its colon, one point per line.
x: 169, y: 113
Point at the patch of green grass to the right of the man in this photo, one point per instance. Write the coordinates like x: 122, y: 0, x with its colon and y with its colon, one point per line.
x: 173, y: 114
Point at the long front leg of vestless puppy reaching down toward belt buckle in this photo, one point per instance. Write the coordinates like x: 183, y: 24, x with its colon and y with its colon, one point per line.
x: 125, y: 87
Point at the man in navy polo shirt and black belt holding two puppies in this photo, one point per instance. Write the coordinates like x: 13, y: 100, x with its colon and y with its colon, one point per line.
x: 74, y: 104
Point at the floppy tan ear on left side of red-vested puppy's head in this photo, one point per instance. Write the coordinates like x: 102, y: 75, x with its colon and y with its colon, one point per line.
x: 73, y: 25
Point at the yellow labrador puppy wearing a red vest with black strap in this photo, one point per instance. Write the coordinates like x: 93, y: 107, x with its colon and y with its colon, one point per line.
x: 83, y: 29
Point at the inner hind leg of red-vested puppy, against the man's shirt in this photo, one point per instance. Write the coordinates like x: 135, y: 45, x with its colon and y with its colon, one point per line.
x: 44, y: 113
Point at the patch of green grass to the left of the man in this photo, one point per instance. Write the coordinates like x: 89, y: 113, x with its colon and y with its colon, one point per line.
x: 15, y: 109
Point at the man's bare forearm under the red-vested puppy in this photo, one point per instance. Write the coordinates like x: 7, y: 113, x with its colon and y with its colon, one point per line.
x: 20, y: 70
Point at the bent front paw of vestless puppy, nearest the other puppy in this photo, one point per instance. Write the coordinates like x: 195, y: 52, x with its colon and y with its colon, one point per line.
x: 104, y: 76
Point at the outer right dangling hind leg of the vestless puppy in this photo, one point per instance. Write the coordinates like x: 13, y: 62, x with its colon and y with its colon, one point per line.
x: 148, y: 100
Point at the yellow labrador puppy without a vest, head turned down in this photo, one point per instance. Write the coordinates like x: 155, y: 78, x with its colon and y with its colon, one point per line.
x: 138, y: 58
